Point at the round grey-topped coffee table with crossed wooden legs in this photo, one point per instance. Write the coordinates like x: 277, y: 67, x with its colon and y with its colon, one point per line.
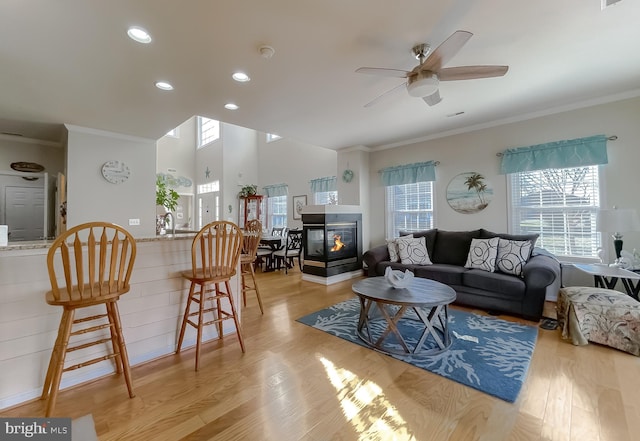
x: 427, y: 298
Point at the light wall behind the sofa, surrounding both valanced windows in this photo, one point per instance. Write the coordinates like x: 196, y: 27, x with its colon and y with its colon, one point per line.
x: 476, y: 151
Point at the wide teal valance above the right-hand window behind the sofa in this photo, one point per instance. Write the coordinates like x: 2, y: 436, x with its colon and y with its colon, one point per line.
x: 560, y: 154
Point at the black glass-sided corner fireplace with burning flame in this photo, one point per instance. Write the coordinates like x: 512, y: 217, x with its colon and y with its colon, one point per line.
x: 332, y: 240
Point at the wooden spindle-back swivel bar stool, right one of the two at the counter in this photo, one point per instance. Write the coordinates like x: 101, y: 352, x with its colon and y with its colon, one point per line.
x: 215, y: 253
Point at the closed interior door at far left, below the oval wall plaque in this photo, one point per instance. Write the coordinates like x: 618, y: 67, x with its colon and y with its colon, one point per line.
x: 24, y: 210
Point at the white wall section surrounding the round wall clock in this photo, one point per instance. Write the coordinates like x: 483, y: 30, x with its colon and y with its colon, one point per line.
x: 90, y: 197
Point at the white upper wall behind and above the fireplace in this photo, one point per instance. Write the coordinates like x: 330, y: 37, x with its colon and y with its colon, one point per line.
x: 287, y: 161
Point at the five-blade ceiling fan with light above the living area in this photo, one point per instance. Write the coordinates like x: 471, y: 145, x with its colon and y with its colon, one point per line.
x: 423, y: 80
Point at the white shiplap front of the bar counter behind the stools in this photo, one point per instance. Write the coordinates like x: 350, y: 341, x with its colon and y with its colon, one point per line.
x: 151, y: 313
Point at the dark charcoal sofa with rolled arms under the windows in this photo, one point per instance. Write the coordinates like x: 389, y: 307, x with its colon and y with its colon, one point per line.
x: 495, y: 292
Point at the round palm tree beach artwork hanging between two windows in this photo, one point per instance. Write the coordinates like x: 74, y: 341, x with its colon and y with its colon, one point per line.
x: 469, y: 193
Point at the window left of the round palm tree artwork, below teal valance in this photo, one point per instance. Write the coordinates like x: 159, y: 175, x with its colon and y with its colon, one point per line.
x: 409, y: 207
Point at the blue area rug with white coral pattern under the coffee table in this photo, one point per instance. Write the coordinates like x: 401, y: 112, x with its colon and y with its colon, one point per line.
x: 487, y: 353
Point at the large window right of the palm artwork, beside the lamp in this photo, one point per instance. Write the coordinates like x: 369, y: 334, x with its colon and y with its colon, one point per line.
x: 560, y: 205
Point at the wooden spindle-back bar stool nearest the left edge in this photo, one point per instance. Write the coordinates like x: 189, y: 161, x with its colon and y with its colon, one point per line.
x: 89, y: 265
